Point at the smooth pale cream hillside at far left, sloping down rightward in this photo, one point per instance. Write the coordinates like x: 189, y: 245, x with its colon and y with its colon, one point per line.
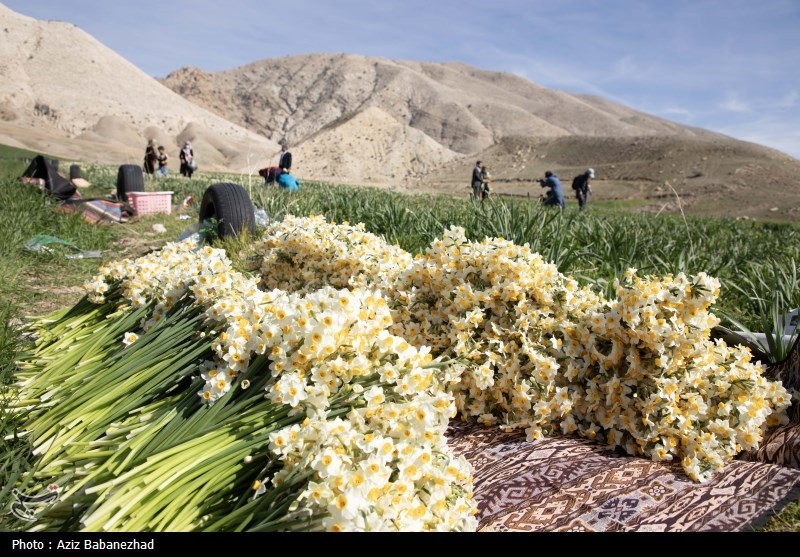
x: 86, y: 101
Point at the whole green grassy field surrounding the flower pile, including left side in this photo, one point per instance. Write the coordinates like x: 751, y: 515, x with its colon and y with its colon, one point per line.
x: 757, y: 263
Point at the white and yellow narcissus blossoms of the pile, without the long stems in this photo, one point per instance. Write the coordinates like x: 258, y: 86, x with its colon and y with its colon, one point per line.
x: 341, y: 315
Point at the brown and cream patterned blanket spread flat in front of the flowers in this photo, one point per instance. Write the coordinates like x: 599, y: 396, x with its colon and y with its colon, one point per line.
x: 573, y: 484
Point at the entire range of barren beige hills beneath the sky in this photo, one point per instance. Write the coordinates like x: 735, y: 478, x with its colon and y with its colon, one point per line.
x: 412, y: 126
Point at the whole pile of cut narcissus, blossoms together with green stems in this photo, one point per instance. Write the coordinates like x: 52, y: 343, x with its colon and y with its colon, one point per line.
x: 183, y: 395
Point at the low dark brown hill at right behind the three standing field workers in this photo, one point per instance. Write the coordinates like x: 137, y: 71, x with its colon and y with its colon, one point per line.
x: 720, y: 177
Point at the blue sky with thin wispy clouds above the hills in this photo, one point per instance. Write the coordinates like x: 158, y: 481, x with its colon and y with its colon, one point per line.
x: 732, y: 66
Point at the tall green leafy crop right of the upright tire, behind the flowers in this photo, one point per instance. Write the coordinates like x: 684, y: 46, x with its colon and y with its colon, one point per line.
x: 752, y: 259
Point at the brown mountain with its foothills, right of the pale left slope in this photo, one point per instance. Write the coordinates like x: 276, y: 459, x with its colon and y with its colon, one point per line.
x: 344, y: 115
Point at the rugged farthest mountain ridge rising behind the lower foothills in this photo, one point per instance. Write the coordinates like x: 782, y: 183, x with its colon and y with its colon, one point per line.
x: 461, y: 108
